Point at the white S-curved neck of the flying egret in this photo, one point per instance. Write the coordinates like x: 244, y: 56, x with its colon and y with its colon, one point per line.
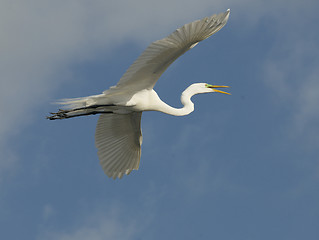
x: 186, y: 101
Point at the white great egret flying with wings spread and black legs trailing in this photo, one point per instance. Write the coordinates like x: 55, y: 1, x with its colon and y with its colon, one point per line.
x: 118, y: 136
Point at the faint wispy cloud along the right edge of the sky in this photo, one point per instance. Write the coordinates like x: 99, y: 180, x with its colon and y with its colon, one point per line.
x: 291, y: 71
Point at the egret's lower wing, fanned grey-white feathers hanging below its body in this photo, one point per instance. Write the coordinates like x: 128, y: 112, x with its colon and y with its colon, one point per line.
x: 118, y: 139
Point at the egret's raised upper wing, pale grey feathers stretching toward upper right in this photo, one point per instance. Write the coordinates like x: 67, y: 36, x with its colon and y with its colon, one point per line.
x: 151, y: 64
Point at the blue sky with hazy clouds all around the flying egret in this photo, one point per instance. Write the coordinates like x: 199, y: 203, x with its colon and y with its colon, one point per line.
x: 244, y: 166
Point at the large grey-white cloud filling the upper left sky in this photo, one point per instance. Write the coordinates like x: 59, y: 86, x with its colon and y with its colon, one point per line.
x: 41, y: 38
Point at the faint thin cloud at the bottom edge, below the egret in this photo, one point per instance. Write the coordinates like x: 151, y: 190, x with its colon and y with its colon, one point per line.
x: 105, y: 221
